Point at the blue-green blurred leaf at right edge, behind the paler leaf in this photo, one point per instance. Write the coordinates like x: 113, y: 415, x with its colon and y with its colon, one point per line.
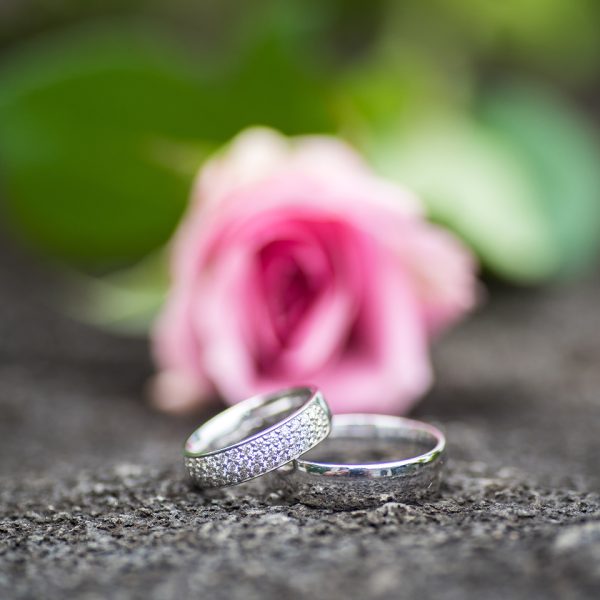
x: 562, y: 153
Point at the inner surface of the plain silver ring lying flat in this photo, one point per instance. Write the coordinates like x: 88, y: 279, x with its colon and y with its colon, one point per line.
x: 369, y: 443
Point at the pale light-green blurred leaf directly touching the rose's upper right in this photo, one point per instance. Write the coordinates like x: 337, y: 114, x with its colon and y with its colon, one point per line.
x: 476, y: 187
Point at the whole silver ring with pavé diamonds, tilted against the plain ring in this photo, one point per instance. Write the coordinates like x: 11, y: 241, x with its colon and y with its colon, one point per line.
x: 256, y: 436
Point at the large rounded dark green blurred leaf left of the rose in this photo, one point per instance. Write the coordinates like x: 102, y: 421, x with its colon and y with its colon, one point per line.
x: 89, y: 126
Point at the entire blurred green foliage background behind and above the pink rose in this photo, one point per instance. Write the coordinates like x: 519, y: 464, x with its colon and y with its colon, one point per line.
x: 488, y: 109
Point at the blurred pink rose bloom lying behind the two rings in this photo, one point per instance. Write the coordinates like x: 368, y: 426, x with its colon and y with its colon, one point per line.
x: 296, y: 264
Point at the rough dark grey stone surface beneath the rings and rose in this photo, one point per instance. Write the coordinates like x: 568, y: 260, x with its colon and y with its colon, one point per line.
x: 93, y: 503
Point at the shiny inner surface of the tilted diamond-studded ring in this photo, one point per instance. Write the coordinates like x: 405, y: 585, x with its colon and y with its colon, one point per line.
x: 231, y: 427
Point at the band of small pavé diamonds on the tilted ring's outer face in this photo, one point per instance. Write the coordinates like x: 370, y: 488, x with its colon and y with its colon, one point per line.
x: 262, y: 454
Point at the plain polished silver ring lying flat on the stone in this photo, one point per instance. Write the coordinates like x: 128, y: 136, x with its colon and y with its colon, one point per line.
x: 342, y: 485
